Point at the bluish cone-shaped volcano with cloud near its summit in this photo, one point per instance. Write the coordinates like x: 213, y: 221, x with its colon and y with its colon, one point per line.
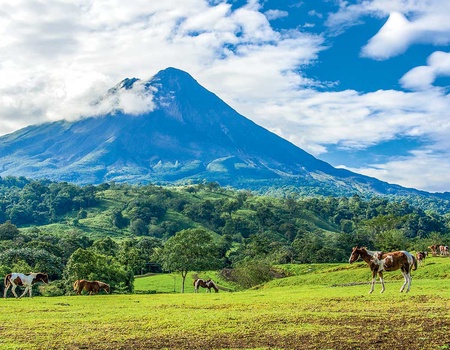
x: 189, y: 135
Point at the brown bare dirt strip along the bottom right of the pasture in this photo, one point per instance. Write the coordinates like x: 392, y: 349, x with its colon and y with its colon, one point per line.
x: 355, y: 333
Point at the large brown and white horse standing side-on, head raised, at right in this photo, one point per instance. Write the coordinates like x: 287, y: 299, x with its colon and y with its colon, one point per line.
x: 379, y: 262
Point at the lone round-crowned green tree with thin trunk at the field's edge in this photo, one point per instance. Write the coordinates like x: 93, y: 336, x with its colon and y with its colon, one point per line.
x: 188, y: 250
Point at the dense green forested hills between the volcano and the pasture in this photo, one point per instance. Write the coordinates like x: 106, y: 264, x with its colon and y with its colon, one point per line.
x: 116, y: 231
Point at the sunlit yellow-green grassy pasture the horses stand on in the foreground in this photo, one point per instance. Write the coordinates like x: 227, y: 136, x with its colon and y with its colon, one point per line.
x: 323, y: 306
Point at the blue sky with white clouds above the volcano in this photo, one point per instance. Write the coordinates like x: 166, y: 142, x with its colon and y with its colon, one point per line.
x: 360, y: 84
